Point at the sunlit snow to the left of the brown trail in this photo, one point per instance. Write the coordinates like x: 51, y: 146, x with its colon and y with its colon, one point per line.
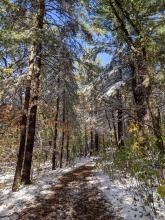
x: 14, y: 202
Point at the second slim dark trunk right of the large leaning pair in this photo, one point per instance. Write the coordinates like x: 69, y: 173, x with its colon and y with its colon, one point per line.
x: 63, y: 132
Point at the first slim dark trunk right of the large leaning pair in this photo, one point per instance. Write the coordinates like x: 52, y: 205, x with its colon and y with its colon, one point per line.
x: 55, y: 131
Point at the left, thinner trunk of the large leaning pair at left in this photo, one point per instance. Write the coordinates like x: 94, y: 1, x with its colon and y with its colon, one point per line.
x: 23, y: 125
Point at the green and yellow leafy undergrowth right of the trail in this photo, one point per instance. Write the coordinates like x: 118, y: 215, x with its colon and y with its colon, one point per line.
x: 145, y: 171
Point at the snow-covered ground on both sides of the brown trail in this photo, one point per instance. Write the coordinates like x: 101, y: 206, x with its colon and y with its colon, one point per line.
x: 120, y: 194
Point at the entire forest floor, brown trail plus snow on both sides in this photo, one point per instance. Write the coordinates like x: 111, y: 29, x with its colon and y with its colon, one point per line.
x: 79, y: 191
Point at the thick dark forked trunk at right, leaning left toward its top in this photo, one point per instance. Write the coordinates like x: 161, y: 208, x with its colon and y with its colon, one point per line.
x: 138, y: 64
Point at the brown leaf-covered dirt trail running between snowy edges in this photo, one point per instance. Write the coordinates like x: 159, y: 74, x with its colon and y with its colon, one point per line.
x: 73, y: 198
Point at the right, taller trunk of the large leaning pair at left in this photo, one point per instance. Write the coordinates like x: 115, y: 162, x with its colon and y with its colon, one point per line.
x: 34, y: 100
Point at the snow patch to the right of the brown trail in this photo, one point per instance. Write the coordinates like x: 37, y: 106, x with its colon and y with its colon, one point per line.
x: 122, y: 199
